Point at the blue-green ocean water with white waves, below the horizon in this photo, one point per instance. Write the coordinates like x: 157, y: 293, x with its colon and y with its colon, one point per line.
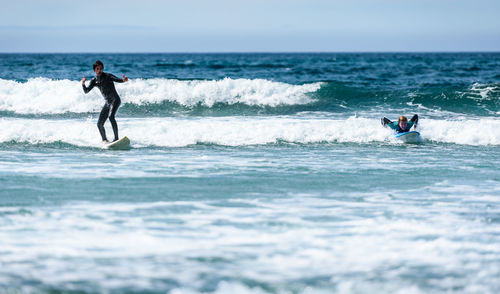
x: 251, y: 173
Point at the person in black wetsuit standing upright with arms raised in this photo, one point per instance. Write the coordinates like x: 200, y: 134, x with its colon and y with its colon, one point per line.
x: 104, y: 81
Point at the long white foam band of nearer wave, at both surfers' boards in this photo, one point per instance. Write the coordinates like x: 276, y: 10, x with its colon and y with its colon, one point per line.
x: 243, y: 131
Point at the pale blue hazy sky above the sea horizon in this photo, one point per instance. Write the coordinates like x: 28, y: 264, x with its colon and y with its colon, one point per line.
x: 251, y: 26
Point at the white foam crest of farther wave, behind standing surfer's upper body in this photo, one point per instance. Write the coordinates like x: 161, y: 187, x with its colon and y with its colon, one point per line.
x: 41, y: 95
